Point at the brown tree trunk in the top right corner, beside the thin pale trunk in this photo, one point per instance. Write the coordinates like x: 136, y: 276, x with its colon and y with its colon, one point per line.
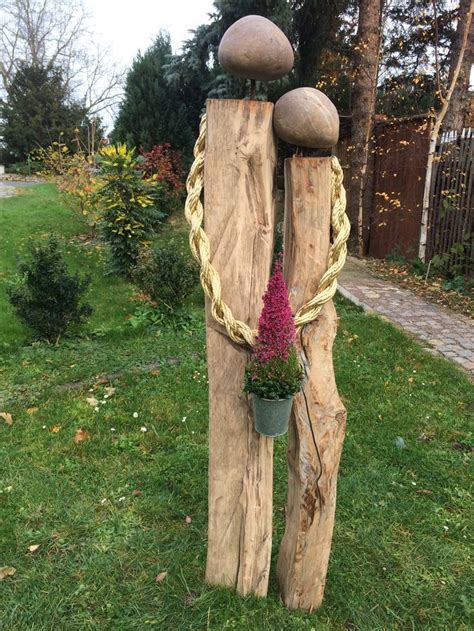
x: 460, y: 101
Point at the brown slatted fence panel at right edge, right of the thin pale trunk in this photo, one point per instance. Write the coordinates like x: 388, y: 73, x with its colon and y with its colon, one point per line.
x: 451, y: 213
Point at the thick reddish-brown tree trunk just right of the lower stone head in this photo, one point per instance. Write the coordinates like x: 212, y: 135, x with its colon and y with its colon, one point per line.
x: 365, y: 71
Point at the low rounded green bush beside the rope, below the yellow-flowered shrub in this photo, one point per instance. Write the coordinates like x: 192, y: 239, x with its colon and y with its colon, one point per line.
x: 166, y: 276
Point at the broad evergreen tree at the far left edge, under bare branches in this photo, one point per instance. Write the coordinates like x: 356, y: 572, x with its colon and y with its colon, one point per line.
x: 37, y: 110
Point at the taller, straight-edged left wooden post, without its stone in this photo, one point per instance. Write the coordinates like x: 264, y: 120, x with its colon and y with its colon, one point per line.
x: 239, y: 220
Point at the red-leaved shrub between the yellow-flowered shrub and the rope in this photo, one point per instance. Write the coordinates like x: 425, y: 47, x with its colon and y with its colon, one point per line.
x: 164, y: 164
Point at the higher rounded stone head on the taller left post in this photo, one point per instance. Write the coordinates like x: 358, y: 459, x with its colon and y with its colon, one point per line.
x: 255, y: 48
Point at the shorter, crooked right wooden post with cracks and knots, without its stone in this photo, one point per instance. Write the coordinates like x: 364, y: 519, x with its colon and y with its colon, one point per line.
x: 318, y: 418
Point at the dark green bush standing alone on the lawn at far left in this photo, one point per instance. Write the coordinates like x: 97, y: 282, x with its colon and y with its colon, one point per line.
x: 45, y: 296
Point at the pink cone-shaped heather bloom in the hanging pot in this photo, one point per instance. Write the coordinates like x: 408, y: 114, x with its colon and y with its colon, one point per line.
x: 276, y: 327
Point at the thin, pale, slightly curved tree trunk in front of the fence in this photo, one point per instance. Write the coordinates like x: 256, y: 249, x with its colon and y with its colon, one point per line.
x: 465, y: 24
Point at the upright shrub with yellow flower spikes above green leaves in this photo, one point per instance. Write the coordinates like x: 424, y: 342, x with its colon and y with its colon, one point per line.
x: 127, y: 205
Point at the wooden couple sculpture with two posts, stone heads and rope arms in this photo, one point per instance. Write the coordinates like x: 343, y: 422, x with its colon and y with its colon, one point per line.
x: 235, y: 159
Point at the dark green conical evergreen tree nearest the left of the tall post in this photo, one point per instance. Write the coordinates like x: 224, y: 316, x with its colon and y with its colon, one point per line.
x: 153, y: 111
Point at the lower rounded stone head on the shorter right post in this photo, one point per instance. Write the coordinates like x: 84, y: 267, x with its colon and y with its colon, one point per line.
x: 307, y: 118
